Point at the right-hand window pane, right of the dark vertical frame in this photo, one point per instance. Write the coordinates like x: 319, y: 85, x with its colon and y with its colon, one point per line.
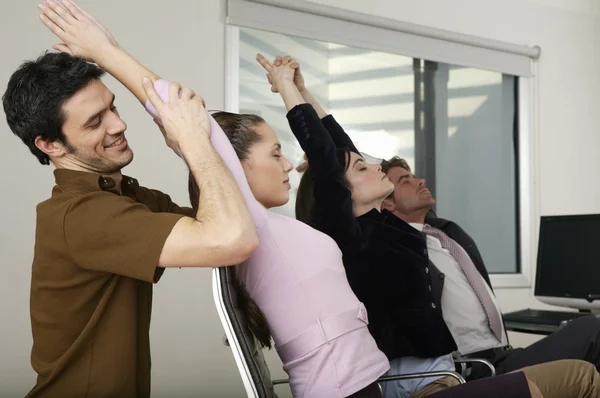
x: 475, y: 160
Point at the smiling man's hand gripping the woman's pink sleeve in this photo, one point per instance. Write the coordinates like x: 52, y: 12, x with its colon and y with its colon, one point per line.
x: 183, y: 116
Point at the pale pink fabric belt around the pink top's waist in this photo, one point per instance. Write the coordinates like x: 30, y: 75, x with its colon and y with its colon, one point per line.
x: 323, y: 332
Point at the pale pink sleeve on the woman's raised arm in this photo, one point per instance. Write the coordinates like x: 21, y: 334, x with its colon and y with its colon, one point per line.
x: 223, y: 147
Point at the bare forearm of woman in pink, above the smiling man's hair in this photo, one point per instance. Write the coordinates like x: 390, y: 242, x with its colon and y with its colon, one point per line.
x: 126, y: 69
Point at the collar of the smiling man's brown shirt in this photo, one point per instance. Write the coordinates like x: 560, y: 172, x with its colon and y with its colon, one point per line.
x: 91, y: 181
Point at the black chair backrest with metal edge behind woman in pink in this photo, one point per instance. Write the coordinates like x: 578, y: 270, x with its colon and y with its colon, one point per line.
x: 248, y: 355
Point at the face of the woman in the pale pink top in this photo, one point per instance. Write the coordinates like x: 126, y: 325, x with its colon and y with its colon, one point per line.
x: 267, y: 169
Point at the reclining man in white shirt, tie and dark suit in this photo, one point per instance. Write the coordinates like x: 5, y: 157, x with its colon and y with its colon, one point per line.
x: 469, y: 307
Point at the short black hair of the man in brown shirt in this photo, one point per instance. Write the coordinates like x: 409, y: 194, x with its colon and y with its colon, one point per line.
x: 36, y: 93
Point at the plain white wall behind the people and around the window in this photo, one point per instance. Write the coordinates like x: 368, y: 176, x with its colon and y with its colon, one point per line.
x: 186, y: 43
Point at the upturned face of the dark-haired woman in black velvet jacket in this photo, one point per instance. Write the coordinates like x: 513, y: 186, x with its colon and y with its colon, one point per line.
x: 368, y: 184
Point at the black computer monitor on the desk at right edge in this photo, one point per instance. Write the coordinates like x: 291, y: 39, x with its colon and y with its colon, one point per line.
x: 568, y: 261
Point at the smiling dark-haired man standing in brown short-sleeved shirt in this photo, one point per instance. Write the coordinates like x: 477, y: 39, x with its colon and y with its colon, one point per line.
x: 102, y: 240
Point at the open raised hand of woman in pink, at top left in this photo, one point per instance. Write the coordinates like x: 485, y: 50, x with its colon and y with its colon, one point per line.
x: 80, y: 33
